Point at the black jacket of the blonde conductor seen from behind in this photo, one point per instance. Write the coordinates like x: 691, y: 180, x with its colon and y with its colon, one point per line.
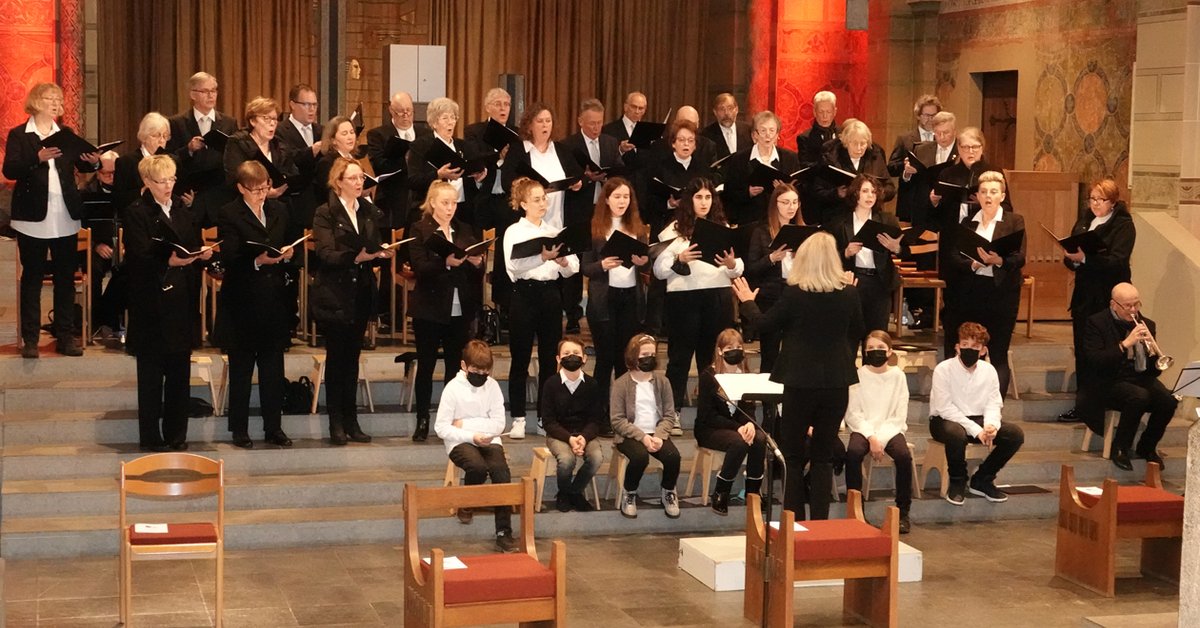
x: 821, y: 332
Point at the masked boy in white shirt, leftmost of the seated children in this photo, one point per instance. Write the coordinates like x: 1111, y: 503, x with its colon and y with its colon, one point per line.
x: 471, y: 420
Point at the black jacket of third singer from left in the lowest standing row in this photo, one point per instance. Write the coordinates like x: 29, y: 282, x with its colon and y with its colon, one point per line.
x: 340, y: 283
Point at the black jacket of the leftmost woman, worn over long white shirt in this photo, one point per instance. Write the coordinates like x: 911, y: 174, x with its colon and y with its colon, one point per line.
x: 32, y: 188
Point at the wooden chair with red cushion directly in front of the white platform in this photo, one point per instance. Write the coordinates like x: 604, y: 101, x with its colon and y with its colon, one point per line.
x: 847, y: 549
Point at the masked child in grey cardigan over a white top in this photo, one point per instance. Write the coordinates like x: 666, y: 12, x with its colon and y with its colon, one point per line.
x: 643, y: 415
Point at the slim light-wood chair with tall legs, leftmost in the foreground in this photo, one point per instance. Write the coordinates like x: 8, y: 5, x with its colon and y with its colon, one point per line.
x: 173, y: 476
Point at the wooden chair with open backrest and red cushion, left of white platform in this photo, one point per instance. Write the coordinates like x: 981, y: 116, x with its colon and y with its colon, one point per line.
x: 494, y: 588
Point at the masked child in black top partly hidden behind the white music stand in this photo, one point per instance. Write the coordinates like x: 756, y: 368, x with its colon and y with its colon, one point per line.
x: 729, y: 428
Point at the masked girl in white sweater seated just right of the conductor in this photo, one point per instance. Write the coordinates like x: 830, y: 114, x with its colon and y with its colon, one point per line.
x: 878, y: 417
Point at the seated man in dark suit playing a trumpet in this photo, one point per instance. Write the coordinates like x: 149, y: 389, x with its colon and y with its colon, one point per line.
x: 1125, y: 378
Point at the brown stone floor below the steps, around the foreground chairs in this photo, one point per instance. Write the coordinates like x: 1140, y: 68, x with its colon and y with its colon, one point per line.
x: 988, y: 575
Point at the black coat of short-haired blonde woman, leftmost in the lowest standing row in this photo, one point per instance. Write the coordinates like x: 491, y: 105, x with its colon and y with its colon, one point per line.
x: 164, y: 312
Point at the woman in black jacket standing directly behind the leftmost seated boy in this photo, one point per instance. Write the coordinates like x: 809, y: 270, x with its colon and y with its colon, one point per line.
x: 448, y: 294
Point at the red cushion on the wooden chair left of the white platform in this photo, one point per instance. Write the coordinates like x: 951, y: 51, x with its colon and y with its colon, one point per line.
x: 497, y: 577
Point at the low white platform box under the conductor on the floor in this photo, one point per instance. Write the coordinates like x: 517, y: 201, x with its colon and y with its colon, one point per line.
x: 719, y: 563
